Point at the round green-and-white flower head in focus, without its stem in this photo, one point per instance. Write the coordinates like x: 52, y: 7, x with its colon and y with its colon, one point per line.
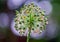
x: 32, y: 18
